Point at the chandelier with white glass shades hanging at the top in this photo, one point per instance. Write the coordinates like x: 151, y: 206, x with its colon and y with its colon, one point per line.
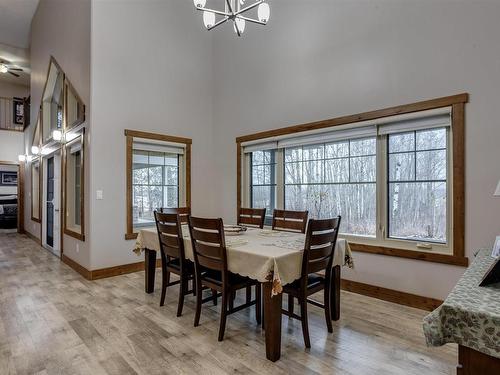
x: 233, y: 11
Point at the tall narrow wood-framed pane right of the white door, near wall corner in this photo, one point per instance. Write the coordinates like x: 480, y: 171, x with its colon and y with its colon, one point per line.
x: 73, y: 187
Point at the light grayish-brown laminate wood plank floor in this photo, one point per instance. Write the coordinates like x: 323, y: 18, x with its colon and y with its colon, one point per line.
x: 53, y: 321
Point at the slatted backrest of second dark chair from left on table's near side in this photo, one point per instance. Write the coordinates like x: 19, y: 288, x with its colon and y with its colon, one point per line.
x: 209, y: 245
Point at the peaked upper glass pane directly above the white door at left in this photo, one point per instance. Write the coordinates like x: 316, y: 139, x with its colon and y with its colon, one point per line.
x: 52, y: 102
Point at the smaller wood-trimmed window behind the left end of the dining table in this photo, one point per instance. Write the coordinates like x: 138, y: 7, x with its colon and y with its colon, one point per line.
x: 158, y: 176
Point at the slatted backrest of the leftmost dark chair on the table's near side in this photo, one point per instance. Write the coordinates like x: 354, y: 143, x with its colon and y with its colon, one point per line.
x: 170, y: 236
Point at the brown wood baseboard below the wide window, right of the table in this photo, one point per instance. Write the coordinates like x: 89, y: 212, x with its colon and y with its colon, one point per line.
x: 391, y: 295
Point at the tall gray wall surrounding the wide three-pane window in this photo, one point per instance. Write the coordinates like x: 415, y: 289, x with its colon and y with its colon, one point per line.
x: 323, y: 59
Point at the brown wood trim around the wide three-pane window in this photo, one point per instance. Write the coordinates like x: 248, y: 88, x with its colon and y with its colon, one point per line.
x: 457, y: 104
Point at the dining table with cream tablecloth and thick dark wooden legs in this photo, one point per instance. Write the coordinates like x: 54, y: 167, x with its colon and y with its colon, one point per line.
x: 272, y: 257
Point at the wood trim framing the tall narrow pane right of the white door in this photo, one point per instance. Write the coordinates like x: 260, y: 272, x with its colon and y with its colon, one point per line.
x: 79, y: 236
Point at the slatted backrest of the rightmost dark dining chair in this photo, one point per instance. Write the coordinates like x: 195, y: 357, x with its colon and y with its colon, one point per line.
x: 319, y: 249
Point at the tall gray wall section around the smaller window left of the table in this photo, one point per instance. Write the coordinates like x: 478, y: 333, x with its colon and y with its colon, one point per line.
x: 151, y: 71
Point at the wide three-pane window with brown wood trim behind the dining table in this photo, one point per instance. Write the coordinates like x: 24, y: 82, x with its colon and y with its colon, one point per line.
x: 391, y: 174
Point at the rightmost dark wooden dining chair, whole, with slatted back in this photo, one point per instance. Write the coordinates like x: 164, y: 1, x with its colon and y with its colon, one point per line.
x: 319, y: 251
